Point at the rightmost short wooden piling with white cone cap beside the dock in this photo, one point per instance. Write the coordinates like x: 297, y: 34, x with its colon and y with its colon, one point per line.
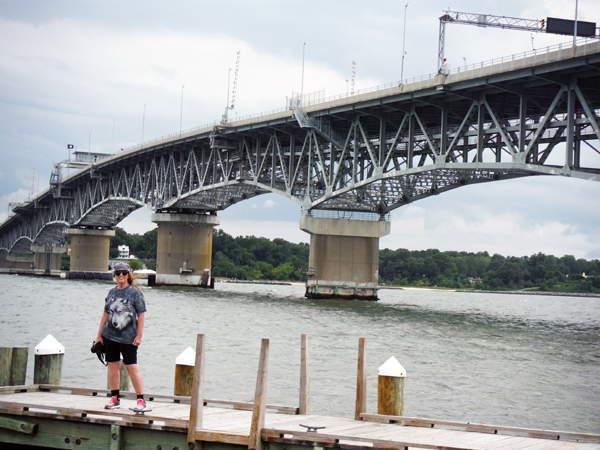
x: 390, y: 388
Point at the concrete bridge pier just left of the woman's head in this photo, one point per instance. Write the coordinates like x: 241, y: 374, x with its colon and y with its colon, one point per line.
x: 89, y: 253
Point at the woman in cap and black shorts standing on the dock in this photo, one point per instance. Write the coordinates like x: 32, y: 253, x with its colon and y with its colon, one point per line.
x: 120, y: 331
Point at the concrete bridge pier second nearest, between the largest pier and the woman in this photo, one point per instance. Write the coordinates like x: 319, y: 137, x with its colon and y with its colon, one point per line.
x: 184, y: 247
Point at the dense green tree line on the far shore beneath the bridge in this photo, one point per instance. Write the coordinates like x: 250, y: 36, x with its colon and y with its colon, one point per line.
x: 252, y: 258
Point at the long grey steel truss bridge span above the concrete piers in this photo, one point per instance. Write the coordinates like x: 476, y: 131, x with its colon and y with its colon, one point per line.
x: 371, y: 153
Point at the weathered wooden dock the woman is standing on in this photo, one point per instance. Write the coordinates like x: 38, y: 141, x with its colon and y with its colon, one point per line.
x: 52, y: 416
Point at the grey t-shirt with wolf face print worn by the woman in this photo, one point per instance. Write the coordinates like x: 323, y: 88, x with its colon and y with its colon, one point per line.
x: 123, y: 307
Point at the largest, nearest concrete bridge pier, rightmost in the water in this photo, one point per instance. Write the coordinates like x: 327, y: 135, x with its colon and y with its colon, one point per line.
x: 344, y: 257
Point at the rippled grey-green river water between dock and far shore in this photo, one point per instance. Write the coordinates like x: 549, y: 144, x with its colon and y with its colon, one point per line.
x: 516, y: 360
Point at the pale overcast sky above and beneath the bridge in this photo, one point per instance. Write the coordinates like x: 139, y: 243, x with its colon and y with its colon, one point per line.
x: 80, y: 73
